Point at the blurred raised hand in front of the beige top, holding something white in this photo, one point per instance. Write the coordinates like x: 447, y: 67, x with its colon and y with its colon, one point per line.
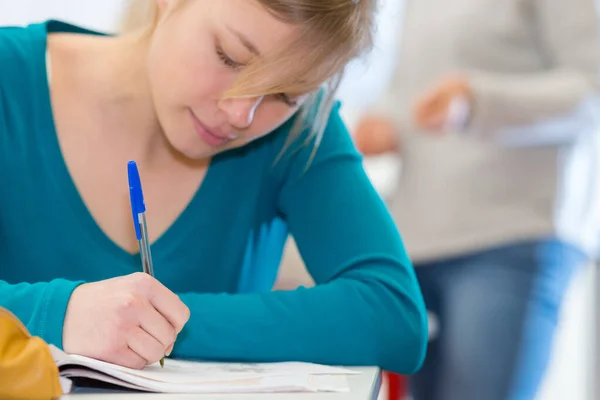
x: 432, y: 110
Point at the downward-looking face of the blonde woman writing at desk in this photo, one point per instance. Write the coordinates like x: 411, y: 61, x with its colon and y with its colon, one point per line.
x: 196, y: 53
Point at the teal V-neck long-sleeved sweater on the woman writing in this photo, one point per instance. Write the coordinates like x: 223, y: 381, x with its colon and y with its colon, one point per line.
x: 222, y: 255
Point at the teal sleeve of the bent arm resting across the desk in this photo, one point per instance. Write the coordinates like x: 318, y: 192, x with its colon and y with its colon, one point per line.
x: 366, y: 307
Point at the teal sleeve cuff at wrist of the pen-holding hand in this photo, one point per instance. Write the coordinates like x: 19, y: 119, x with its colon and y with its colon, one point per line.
x: 40, y: 306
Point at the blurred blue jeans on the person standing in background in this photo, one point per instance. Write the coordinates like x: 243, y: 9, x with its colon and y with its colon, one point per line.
x: 498, y: 311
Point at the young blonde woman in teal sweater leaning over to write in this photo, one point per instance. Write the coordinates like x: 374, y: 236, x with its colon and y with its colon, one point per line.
x: 227, y: 107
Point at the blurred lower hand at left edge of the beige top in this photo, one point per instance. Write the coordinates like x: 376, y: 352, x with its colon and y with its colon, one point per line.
x: 376, y: 135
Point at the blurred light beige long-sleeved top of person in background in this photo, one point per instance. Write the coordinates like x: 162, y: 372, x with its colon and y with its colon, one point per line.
x: 527, y: 166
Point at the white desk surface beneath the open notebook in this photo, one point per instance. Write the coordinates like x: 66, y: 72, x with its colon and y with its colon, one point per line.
x: 364, y: 386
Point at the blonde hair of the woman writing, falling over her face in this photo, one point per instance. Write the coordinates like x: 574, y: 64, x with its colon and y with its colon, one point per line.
x: 332, y: 33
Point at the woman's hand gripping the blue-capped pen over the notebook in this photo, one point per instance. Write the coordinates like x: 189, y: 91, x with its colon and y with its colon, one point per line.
x: 131, y: 321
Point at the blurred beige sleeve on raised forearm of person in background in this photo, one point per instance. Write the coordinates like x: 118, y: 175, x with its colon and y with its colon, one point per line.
x: 564, y: 94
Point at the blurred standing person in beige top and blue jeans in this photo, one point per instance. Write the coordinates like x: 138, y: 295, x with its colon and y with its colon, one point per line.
x: 493, y: 111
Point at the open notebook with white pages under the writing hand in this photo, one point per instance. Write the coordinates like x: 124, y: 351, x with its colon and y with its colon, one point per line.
x: 179, y: 376
